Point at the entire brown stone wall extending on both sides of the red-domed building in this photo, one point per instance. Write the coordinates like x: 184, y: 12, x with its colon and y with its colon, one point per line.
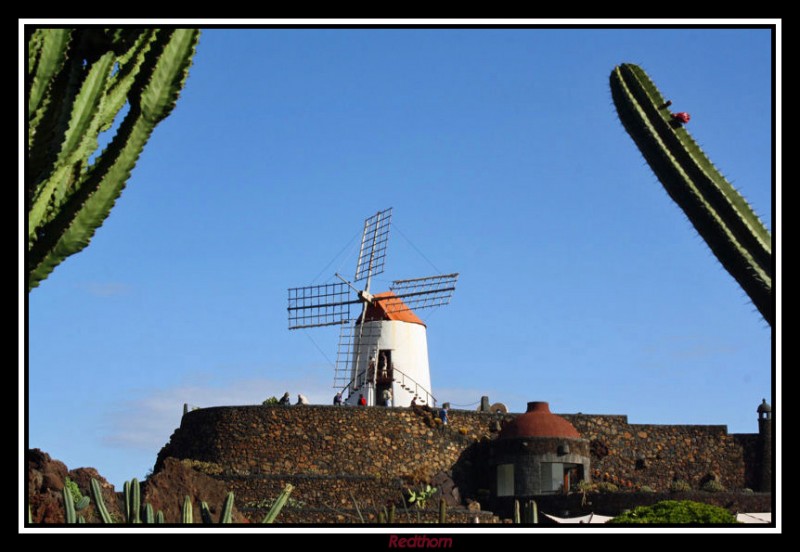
x: 335, y: 454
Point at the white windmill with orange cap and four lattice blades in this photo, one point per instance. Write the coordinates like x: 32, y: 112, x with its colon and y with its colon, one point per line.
x: 382, y: 345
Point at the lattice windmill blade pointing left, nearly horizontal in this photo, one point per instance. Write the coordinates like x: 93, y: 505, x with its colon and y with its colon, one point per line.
x: 320, y: 305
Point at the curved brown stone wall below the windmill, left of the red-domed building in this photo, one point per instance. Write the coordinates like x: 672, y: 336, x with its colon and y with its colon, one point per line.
x: 328, y: 453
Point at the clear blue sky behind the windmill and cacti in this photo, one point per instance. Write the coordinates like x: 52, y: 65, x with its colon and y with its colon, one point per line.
x: 582, y: 283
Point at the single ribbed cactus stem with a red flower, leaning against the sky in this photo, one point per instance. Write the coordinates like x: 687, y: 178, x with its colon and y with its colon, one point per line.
x: 718, y: 212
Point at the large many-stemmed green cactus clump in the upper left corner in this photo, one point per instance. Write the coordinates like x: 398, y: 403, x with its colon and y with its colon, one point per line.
x: 78, y: 81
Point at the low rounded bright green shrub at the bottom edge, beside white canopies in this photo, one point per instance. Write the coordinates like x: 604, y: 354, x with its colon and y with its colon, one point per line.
x: 676, y: 512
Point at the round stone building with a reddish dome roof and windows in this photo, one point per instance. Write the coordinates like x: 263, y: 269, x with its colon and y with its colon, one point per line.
x: 538, y: 453
